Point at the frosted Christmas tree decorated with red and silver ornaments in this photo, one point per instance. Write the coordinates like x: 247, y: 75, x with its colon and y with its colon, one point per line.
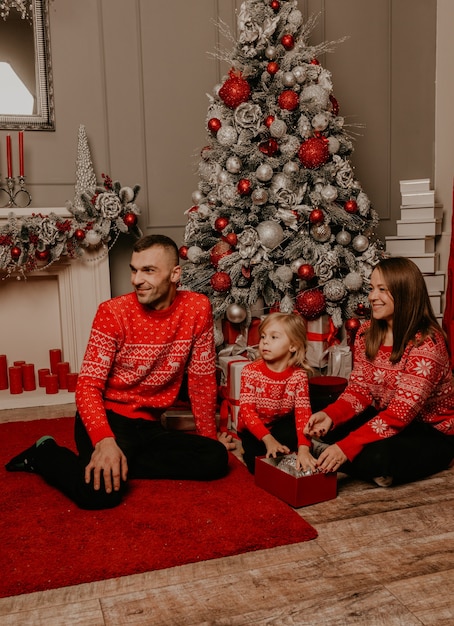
x: 279, y: 221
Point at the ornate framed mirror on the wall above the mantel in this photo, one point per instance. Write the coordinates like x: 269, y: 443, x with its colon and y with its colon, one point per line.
x: 26, y: 71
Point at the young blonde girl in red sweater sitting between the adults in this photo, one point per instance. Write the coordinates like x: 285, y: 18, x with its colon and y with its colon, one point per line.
x: 274, y: 394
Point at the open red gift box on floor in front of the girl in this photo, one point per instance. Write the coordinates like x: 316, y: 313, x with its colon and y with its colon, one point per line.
x: 296, y: 491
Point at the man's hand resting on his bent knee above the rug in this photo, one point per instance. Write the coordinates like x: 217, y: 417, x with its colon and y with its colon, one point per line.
x: 109, y: 461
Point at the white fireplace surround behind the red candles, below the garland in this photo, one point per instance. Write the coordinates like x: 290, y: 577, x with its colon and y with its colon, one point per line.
x: 50, y: 308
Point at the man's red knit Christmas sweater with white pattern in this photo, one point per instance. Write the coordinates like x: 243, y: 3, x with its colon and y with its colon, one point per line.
x: 136, y: 358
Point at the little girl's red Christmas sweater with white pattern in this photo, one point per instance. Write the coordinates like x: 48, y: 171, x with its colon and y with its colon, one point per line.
x: 267, y: 396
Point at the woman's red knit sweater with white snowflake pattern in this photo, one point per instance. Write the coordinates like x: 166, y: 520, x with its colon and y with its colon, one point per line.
x: 418, y: 387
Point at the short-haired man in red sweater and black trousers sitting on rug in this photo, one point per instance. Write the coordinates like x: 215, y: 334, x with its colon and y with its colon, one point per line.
x: 140, y: 346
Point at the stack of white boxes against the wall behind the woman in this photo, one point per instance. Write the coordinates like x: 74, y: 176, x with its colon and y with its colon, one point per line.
x: 420, y: 224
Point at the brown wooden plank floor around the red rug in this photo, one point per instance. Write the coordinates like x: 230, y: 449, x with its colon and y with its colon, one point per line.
x: 382, y: 557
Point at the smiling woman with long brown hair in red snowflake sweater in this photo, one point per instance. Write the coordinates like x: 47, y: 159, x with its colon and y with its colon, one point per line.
x: 394, y: 423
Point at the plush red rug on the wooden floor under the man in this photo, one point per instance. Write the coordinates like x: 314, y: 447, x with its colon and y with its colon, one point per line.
x: 47, y: 542
